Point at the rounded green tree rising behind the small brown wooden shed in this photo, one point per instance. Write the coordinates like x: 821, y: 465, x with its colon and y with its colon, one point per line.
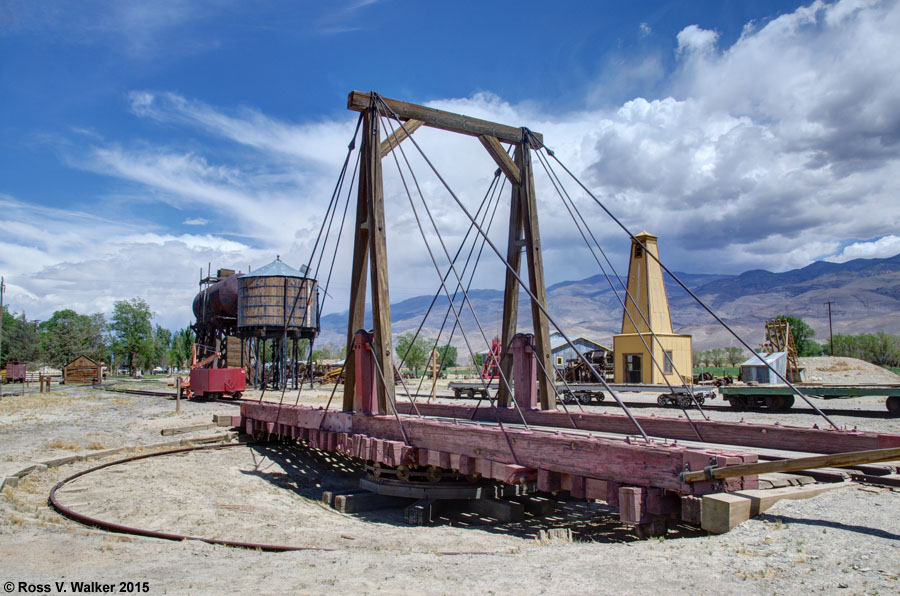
x: 67, y: 334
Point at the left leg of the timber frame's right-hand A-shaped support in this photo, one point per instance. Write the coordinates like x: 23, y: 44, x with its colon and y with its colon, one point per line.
x: 511, y: 288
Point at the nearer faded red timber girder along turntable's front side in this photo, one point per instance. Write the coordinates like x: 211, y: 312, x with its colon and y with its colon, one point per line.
x: 617, y: 460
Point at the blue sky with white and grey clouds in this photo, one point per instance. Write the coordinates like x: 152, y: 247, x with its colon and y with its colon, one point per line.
x: 142, y: 140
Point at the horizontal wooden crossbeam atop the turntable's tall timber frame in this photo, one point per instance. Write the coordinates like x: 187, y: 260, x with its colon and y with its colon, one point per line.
x: 360, y: 101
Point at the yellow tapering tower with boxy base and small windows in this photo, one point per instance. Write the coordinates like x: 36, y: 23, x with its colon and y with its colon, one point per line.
x: 648, y: 306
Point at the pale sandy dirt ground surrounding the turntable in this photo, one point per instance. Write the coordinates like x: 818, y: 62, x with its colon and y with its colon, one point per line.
x: 846, y: 540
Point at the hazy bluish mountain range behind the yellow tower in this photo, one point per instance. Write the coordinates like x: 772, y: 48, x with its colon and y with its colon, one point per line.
x: 865, y: 296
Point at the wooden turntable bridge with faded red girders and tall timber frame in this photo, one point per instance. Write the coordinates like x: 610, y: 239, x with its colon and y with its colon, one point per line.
x: 646, y: 479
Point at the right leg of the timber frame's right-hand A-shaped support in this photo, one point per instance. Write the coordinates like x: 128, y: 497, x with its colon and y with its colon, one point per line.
x: 536, y: 276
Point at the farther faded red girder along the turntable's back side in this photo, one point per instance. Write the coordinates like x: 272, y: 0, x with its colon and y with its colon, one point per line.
x: 792, y: 438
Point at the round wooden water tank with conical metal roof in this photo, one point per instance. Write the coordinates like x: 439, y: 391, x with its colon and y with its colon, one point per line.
x: 267, y: 296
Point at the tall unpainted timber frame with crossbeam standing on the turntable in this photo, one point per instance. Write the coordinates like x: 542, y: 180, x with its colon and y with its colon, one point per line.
x: 370, y: 246
